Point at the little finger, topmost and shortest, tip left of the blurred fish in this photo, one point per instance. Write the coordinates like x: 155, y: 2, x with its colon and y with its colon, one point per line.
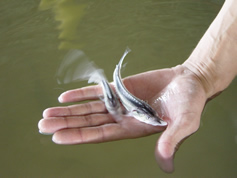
x: 81, y: 94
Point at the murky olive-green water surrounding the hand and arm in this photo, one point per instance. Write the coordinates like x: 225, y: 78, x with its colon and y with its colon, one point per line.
x: 36, y: 35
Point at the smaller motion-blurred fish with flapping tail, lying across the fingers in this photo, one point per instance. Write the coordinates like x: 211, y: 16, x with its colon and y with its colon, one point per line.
x: 76, y: 66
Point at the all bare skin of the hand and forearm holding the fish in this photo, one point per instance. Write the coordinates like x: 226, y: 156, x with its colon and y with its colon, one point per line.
x: 178, y: 94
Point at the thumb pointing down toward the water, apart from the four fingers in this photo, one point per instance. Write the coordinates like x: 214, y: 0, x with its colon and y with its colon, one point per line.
x: 170, y: 140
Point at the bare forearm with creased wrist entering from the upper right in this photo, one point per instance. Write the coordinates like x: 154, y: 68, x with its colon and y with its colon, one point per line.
x: 214, y: 60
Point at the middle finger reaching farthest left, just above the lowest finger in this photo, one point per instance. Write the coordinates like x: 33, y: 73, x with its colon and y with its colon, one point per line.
x: 53, y: 124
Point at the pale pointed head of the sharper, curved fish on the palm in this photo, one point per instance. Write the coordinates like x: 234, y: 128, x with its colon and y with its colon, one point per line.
x: 147, y: 117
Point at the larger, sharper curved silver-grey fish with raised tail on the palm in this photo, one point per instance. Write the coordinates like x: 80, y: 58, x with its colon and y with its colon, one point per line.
x: 136, y: 107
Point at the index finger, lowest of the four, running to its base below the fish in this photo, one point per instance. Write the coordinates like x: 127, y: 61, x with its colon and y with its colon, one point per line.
x: 107, y: 132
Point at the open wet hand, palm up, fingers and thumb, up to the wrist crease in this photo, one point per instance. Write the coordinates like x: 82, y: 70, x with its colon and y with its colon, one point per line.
x: 176, y: 94
